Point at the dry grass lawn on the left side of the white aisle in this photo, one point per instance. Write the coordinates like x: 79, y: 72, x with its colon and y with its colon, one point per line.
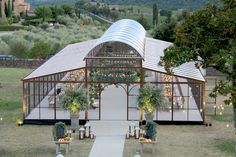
x: 27, y: 140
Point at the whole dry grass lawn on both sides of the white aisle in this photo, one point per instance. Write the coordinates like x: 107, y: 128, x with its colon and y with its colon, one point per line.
x: 37, y: 141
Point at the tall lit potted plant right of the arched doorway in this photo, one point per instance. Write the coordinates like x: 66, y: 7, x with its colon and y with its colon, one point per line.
x: 150, y: 98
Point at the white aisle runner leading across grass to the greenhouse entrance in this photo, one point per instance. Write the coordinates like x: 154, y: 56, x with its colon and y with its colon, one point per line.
x: 110, y: 138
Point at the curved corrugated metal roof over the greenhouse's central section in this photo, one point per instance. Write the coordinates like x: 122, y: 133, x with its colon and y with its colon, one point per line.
x: 125, y: 31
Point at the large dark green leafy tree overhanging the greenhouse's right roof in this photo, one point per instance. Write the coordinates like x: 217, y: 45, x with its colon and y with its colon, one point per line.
x: 208, y: 37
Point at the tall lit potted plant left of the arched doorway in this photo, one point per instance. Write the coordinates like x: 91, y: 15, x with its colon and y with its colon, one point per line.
x: 75, y: 101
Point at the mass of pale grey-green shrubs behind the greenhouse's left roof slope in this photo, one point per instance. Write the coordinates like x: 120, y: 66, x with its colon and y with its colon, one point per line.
x: 58, y: 37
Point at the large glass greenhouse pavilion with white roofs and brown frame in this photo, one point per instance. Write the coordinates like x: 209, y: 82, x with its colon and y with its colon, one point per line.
x: 111, y: 70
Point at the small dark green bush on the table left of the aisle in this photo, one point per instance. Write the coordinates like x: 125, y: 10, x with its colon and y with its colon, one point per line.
x: 59, y: 130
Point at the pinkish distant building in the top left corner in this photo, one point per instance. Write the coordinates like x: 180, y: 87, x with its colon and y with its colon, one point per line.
x: 20, y: 7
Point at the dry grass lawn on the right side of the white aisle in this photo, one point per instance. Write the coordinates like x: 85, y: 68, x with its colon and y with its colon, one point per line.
x: 192, y: 140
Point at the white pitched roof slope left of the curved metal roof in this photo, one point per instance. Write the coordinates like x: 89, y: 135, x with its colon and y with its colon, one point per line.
x: 69, y: 58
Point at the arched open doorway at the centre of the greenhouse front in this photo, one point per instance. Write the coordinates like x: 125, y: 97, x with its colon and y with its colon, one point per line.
x: 113, y: 103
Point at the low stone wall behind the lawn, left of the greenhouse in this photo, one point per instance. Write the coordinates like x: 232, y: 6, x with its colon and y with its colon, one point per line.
x: 21, y: 63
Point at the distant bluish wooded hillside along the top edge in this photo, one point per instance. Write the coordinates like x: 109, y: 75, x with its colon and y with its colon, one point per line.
x: 170, y: 4
